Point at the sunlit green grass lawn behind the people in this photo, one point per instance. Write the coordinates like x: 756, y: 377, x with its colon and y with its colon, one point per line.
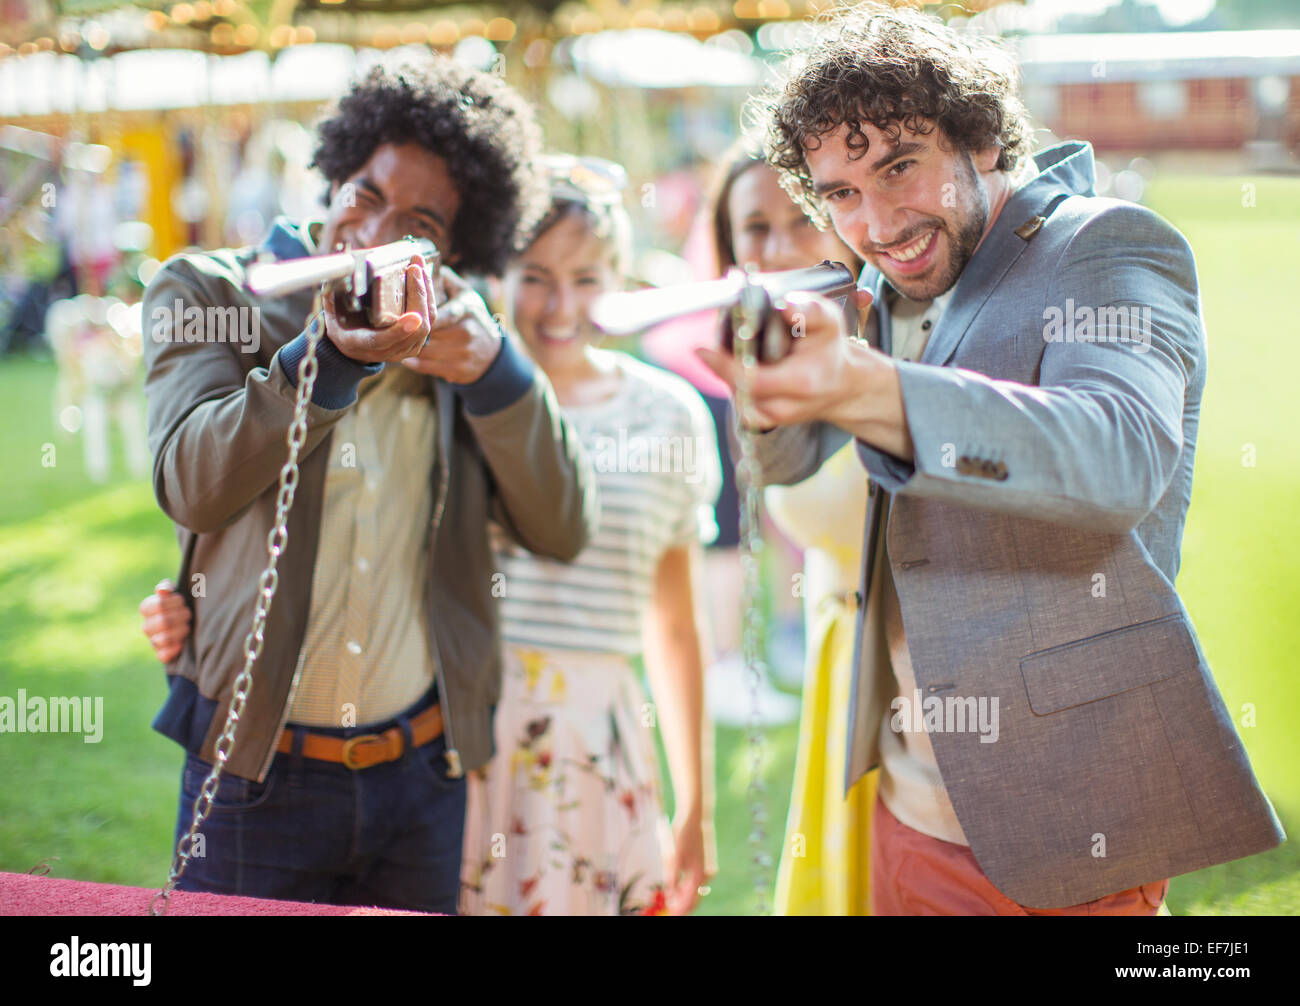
x: 76, y: 558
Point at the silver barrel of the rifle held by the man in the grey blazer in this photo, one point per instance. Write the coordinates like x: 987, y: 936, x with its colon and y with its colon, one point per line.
x: 626, y: 314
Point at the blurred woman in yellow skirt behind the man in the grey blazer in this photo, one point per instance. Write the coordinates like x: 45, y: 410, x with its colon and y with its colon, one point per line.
x: 825, y: 856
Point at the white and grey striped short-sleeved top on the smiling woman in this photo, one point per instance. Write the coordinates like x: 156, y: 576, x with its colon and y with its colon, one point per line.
x: 655, y: 449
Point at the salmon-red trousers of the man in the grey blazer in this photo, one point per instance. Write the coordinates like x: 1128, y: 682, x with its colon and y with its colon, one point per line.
x: 913, y: 874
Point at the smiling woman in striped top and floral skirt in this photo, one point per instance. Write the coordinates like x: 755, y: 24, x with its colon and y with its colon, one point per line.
x: 567, y: 818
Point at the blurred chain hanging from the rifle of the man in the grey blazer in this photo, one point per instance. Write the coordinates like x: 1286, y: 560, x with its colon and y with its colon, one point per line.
x: 749, y: 482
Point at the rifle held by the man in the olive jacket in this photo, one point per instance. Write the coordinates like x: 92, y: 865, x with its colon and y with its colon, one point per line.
x: 369, y: 284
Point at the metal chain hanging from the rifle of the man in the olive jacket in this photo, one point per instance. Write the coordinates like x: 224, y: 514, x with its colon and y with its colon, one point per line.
x: 267, y: 584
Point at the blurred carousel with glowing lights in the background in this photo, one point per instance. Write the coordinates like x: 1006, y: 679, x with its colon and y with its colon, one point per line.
x: 205, y: 109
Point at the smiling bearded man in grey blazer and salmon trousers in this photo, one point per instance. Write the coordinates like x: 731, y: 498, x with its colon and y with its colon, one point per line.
x: 1026, y: 402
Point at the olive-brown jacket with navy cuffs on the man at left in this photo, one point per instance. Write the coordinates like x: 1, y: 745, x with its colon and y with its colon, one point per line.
x: 220, y: 404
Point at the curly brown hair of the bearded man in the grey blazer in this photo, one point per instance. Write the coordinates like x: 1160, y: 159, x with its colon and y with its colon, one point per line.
x: 892, y: 68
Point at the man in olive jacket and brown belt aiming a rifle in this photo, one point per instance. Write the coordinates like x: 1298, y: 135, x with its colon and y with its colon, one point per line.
x: 380, y: 667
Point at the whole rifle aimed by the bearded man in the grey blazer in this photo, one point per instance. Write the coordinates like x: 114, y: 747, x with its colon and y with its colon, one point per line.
x: 748, y: 298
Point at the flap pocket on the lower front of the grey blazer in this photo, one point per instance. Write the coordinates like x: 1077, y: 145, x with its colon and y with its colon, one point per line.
x: 1108, y: 664
